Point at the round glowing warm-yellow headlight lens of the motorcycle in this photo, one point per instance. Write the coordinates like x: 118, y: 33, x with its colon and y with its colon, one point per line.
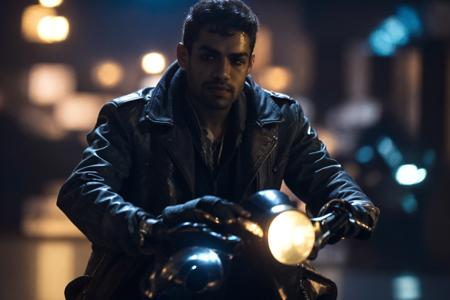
x: 291, y: 237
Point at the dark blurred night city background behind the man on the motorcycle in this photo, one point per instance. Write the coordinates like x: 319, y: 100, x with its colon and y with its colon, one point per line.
x: 370, y: 109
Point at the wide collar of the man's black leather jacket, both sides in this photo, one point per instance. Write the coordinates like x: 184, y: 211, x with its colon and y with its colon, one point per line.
x: 159, y: 106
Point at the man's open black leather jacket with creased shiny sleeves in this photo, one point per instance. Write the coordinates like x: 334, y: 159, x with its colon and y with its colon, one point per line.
x: 140, y: 159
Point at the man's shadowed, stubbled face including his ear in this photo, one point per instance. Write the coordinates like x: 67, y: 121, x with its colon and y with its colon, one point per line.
x: 216, y: 68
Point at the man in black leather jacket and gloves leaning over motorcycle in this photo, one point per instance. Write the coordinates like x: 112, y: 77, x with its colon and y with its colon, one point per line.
x: 206, y: 132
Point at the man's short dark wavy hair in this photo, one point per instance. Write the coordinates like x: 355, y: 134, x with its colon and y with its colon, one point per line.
x: 222, y: 17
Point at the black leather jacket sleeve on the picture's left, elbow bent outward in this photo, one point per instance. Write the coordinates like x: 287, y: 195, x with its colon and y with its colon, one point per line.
x: 90, y: 196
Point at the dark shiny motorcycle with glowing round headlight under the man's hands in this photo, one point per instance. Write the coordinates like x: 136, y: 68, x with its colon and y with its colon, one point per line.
x: 278, y: 238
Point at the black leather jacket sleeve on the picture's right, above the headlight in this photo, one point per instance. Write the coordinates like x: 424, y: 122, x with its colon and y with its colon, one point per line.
x: 317, y: 178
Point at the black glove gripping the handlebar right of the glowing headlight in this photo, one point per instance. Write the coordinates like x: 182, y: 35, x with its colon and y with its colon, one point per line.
x: 356, y: 219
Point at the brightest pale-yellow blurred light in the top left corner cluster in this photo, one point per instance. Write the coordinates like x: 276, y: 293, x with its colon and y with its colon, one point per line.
x: 53, y: 29
